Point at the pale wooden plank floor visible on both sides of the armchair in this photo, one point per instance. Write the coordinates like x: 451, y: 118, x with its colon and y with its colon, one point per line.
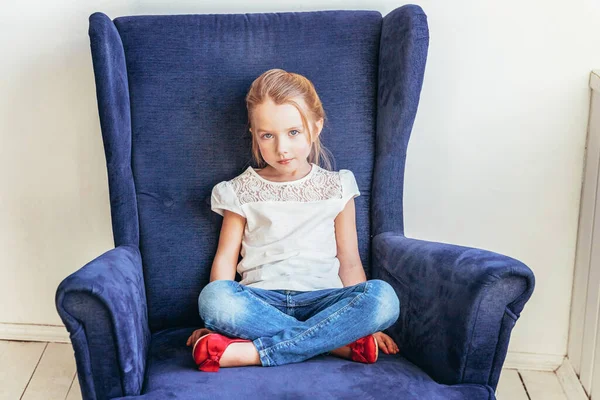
x: 37, y: 370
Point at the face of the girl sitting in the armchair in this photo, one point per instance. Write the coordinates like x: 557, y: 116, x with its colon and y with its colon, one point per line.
x: 280, y: 136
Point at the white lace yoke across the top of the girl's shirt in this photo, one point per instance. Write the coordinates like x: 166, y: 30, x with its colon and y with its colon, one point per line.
x: 321, y: 185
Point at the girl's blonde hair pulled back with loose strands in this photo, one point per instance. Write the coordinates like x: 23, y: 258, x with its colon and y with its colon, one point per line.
x: 281, y: 87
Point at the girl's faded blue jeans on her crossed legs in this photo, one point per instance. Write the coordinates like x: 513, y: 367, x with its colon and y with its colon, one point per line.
x: 289, y: 326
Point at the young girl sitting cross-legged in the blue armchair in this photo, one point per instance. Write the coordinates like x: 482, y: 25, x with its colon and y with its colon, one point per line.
x: 303, y: 290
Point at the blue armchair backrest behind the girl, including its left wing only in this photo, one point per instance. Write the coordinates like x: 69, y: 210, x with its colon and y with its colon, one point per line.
x: 171, y: 94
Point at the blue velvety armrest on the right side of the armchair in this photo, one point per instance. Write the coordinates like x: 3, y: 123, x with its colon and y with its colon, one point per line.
x: 458, y: 305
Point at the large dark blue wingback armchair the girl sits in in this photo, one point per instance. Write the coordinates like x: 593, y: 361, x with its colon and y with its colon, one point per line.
x: 170, y: 93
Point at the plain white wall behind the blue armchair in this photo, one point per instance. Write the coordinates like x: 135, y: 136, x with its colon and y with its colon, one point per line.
x: 495, y: 160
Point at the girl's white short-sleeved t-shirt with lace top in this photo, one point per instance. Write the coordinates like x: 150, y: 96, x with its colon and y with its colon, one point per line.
x: 289, y: 239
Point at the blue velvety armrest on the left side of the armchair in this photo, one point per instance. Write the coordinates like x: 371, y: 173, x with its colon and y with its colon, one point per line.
x: 103, y: 306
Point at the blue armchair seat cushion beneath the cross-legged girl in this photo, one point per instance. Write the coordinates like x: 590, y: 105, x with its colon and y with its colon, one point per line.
x: 172, y: 374
